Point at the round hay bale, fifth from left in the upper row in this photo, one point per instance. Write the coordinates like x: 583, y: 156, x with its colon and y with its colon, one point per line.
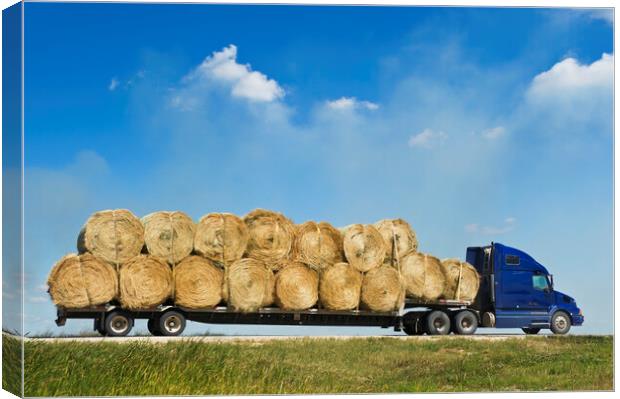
x: 319, y: 245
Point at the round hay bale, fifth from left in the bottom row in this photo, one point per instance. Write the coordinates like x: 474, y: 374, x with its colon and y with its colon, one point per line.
x: 297, y: 287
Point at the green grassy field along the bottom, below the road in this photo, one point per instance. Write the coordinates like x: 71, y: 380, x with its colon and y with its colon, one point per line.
x: 318, y: 366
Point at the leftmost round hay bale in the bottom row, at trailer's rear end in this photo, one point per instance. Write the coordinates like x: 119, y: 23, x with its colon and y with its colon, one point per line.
x: 78, y: 281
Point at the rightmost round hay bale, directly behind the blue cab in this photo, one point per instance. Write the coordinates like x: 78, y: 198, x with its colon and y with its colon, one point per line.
x: 467, y: 288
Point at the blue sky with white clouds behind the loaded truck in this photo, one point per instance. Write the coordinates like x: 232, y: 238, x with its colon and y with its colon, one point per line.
x: 476, y: 125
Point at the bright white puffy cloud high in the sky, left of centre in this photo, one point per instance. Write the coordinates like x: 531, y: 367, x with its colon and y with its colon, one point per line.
x: 244, y: 83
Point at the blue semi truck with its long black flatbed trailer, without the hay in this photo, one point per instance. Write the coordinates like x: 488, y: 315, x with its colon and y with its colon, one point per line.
x: 515, y: 291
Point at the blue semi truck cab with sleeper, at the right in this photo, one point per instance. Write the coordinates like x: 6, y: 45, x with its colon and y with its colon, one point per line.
x: 518, y: 292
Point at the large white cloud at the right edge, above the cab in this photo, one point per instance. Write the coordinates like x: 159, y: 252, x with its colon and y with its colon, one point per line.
x: 570, y: 78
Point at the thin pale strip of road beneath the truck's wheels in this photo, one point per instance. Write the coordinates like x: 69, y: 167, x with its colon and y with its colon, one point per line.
x: 264, y: 338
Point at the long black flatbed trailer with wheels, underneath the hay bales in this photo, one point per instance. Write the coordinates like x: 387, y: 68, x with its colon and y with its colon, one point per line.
x: 113, y: 320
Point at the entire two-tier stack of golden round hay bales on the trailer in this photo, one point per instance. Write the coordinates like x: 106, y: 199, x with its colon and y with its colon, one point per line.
x: 260, y: 260
